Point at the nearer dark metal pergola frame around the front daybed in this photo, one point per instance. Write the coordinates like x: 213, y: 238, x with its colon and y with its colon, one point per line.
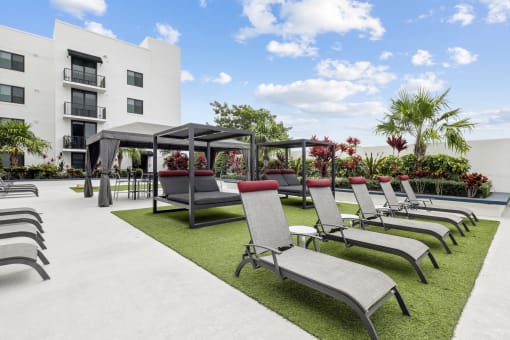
x: 192, y: 134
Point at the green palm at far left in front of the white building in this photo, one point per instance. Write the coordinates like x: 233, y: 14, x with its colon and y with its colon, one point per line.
x: 16, y: 138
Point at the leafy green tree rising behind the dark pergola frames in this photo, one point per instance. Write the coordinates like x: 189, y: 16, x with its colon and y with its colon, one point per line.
x: 244, y: 117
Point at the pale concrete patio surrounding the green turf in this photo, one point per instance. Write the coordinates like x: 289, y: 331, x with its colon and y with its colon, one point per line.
x: 111, y: 281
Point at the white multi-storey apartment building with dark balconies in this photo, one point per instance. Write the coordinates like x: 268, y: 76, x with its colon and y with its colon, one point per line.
x: 74, y: 85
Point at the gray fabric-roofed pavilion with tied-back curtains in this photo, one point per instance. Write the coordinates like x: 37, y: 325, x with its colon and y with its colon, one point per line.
x: 104, y: 145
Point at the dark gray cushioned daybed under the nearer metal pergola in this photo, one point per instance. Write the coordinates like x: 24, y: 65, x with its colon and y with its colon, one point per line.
x: 206, y: 194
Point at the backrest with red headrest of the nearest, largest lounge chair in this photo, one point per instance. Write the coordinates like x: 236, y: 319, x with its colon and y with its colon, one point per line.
x: 264, y: 214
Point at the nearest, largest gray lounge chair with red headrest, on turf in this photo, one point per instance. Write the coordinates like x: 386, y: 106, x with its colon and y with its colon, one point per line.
x: 363, y: 288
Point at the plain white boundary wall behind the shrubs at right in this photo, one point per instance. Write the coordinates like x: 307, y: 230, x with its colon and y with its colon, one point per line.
x: 490, y: 157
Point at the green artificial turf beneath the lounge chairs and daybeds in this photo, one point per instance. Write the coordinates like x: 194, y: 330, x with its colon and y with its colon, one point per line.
x: 435, y: 307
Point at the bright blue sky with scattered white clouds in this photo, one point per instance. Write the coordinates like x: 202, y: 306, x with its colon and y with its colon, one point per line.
x: 323, y: 67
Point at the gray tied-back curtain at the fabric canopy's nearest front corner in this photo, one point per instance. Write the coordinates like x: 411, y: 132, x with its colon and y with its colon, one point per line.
x: 109, y: 148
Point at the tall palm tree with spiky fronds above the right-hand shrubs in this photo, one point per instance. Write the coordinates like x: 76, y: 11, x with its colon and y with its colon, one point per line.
x: 428, y: 119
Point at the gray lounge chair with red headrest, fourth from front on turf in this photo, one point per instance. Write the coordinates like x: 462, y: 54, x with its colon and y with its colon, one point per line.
x: 402, y: 209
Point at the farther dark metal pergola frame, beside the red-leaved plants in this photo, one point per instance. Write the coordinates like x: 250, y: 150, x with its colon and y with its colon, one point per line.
x: 303, y: 144
